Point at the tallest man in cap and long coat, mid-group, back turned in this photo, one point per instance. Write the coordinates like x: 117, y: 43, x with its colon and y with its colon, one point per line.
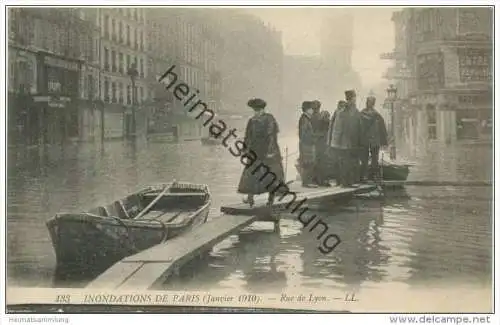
x: 345, y: 139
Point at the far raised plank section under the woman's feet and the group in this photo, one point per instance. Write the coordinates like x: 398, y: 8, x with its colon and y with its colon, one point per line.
x: 311, y: 194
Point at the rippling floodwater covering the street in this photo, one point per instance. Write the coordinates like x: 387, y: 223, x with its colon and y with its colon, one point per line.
x: 434, y: 235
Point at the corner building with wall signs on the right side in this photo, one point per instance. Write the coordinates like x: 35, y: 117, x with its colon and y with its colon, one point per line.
x: 443, y: 68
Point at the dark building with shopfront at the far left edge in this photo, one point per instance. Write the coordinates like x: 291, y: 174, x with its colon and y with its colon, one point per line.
x: 49, y: 51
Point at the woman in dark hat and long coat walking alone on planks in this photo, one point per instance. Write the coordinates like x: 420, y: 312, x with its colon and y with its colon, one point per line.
x: 265, y: 174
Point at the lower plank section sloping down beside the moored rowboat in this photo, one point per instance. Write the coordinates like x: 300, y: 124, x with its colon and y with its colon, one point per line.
x: 152, y: 266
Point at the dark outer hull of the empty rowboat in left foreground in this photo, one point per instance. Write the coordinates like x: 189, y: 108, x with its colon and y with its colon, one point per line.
x: 88, y: 244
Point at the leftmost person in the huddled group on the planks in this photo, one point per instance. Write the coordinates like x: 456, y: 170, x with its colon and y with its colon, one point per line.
x: 307, y: 146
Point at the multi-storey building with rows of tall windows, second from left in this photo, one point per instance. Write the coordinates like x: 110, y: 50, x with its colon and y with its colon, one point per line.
x: 122, y: 45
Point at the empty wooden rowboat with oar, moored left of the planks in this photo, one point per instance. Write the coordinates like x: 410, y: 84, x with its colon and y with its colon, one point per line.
x: 96, y: 239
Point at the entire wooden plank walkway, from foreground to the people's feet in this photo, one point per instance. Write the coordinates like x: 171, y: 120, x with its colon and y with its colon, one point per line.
x: 152, y: 266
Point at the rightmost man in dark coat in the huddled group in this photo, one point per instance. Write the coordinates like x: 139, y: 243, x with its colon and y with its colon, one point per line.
x: 374, y: 137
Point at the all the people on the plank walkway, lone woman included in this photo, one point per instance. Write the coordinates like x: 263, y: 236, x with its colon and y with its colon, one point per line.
x: 329, y: 148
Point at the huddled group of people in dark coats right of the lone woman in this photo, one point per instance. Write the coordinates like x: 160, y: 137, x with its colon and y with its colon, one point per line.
x: 339, y: 147
